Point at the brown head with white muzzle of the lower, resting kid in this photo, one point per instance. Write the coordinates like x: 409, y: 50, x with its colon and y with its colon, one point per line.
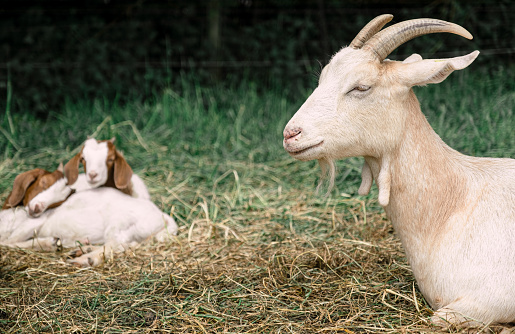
x: 38, y: 190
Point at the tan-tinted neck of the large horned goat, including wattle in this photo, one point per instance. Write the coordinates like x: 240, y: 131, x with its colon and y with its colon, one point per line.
x: 420, y: 183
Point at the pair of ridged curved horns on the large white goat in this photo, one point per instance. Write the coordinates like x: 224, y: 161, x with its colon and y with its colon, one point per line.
x: 382, y: 43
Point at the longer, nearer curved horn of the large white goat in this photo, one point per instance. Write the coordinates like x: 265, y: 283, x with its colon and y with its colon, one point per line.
x: 384, y: 42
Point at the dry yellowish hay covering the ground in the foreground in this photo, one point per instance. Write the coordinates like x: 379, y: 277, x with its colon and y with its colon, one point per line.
x: 251, y: 257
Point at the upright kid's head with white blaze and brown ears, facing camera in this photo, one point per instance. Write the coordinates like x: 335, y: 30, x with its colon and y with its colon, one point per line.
x: 102, y: 164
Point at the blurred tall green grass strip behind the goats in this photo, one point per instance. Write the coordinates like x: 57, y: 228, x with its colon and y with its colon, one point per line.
x: 472, y: 111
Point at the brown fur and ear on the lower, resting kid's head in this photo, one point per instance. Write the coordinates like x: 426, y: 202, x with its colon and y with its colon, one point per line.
x: 29, y: 184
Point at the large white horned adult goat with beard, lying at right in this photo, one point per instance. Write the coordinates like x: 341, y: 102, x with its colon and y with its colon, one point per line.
x: 454, y: 214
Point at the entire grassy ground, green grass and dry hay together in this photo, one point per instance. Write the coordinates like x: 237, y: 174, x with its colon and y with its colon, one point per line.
x: 258, y: 249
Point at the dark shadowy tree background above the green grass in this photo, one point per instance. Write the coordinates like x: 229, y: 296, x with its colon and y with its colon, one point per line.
x: 54, y: 50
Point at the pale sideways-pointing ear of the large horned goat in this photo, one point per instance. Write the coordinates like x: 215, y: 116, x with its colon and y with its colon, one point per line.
x: 422, y: 72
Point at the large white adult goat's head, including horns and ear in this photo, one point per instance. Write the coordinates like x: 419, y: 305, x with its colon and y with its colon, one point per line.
x: 362, y: 100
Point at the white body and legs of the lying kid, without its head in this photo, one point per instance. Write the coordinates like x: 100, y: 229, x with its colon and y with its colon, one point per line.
x: 103, y: 216
